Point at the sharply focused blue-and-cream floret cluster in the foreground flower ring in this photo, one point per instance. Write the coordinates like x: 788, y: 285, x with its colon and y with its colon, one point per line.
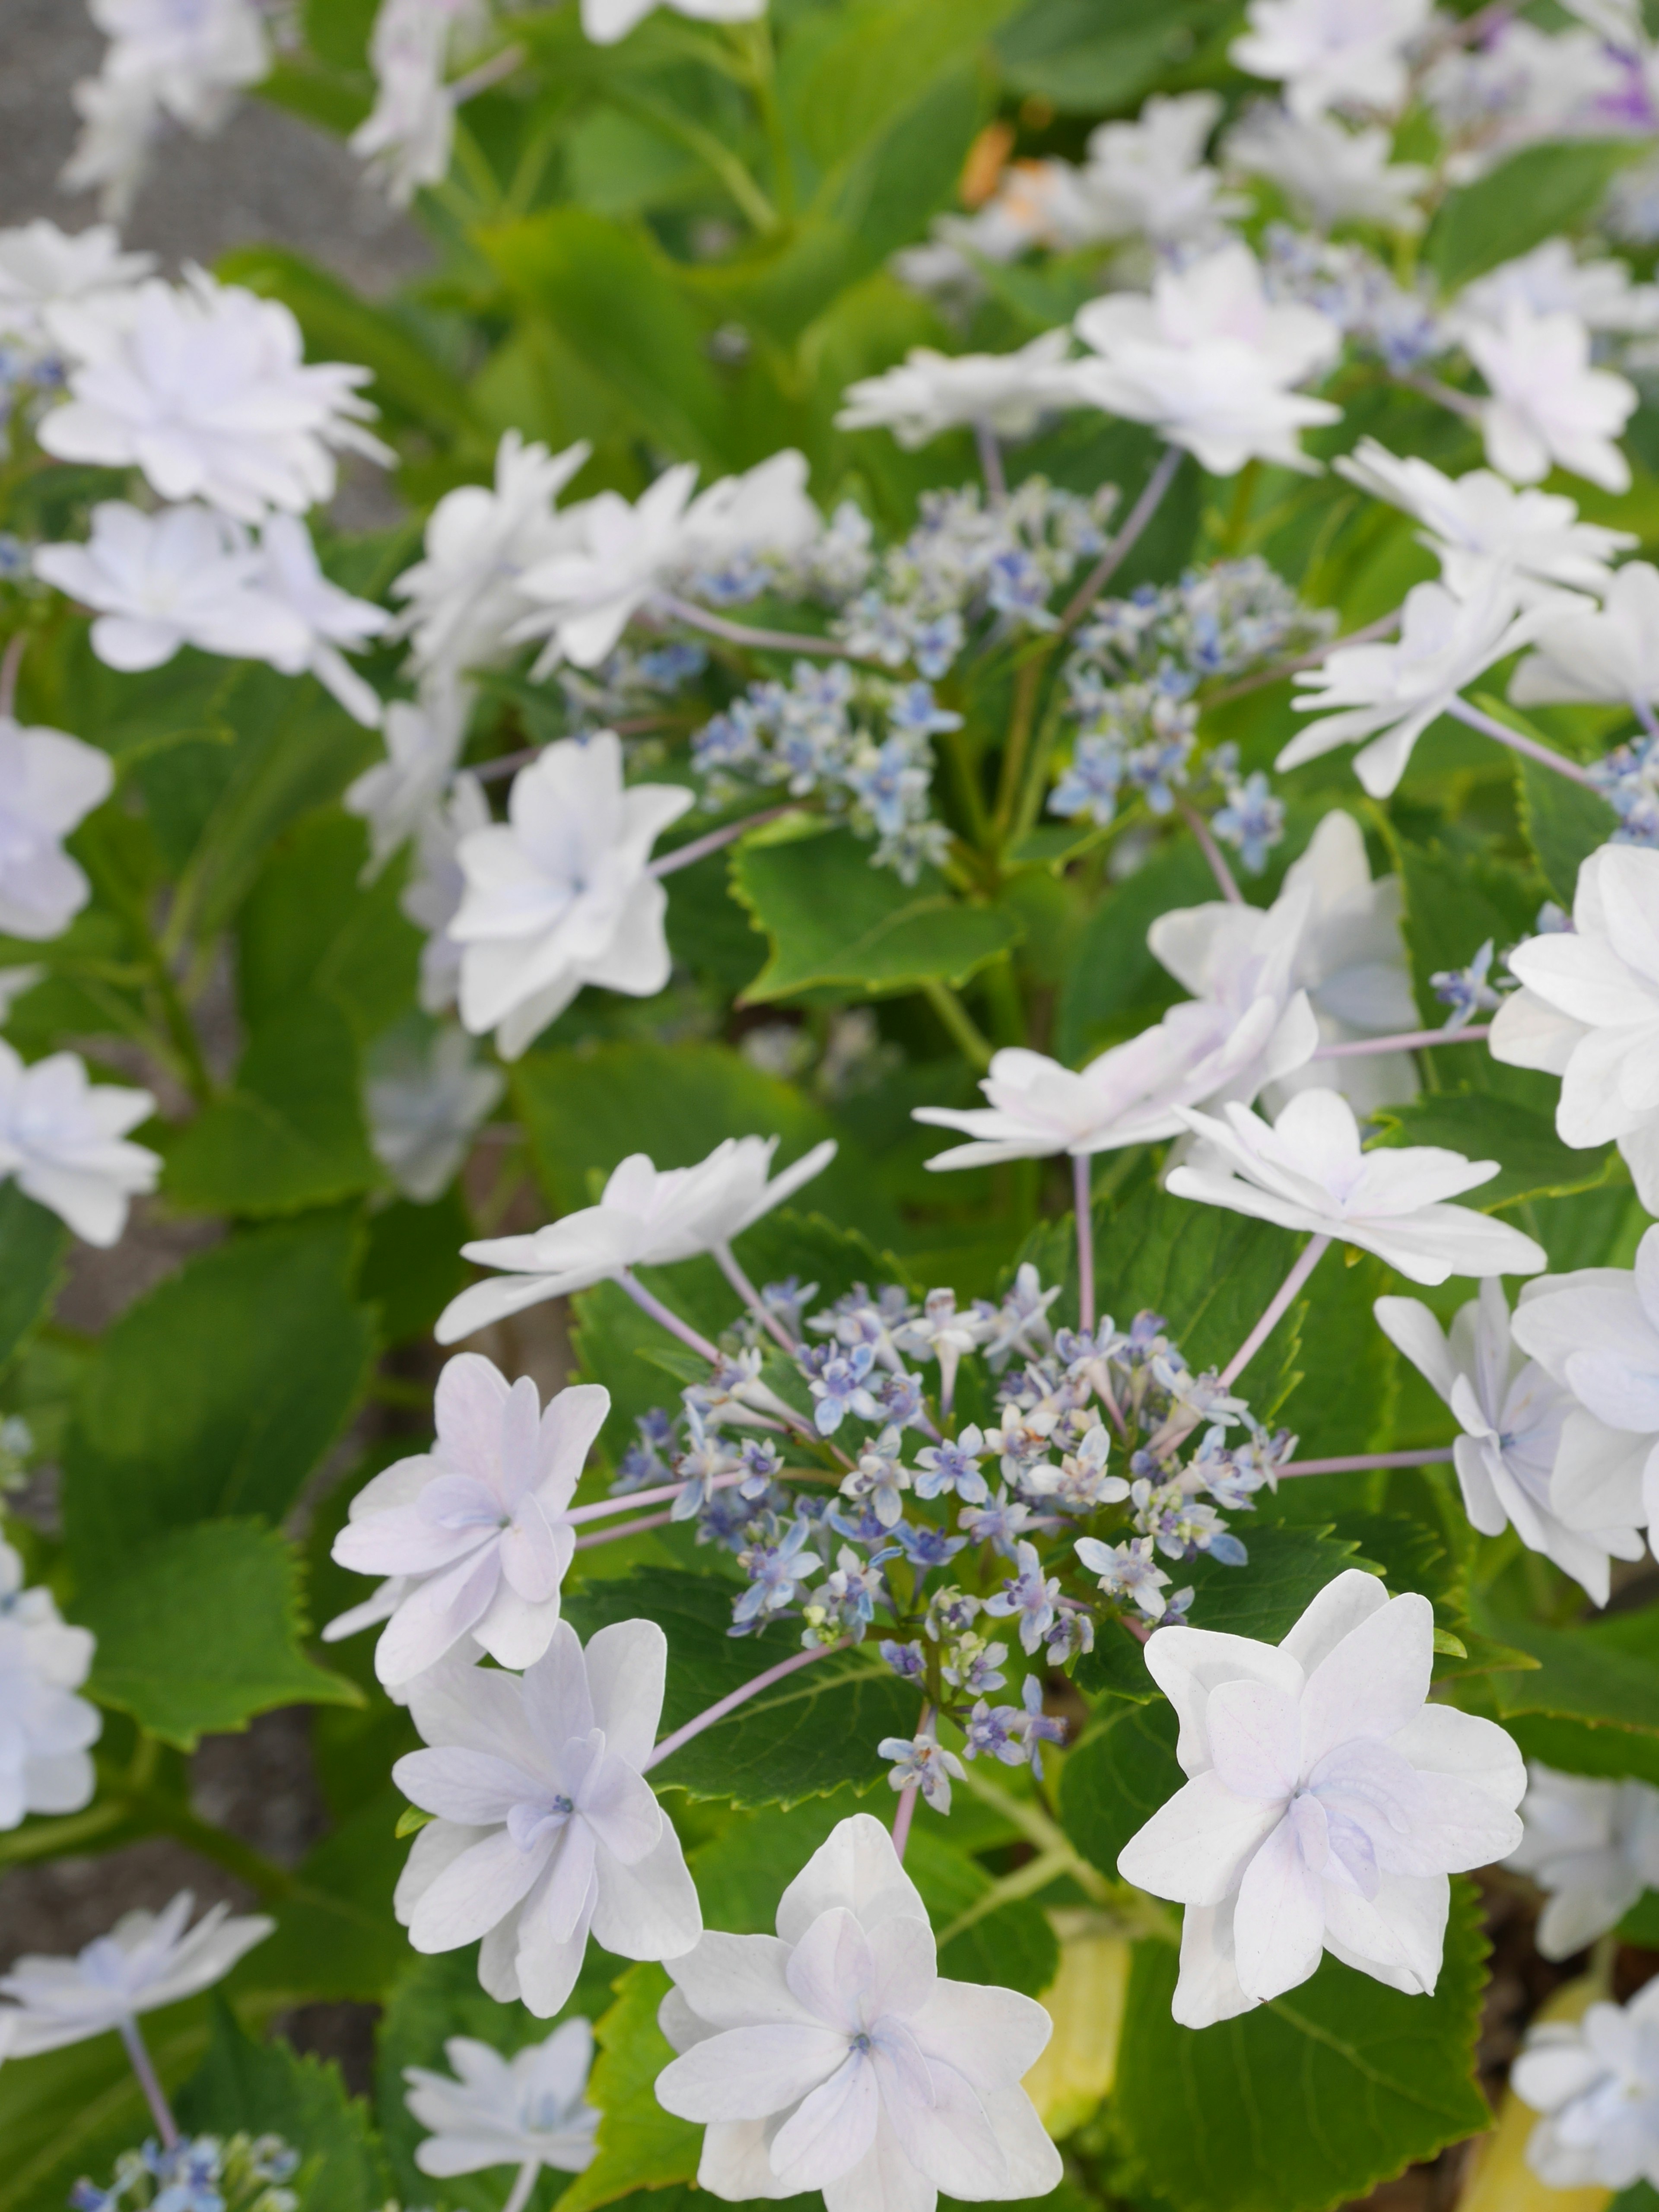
x: 1010, y: 1527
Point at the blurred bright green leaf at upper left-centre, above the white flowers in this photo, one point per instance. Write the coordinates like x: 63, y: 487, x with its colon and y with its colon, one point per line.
x: 616, y: 302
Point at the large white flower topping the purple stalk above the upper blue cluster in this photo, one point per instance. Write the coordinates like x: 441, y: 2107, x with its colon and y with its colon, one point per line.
x: 1211, y: 362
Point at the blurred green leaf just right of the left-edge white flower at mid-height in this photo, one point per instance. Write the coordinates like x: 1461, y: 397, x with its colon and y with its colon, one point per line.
x: 291, y: 1134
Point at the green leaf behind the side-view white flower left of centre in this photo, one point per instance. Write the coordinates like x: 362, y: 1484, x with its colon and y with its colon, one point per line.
x: 592, y: 1109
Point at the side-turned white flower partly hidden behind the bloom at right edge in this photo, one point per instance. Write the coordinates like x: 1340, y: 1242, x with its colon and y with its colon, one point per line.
x: 1512, y: 1417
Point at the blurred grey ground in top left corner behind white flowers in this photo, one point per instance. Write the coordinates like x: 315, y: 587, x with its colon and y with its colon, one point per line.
x: 267, y: 178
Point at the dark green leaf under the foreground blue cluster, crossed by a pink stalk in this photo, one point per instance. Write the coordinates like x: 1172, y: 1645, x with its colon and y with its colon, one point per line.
x: 804, y: 1738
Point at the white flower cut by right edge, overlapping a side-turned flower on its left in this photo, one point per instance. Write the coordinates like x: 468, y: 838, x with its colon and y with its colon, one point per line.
x: 1596, y: 1333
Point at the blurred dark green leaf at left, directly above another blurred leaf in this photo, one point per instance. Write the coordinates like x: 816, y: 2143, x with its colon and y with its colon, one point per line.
x: 311, y: 926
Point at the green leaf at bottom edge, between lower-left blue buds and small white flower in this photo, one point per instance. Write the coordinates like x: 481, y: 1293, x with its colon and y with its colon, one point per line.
x: 271, y: 2089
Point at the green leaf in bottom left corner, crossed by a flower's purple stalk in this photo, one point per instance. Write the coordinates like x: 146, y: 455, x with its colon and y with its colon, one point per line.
x: 76, y: 2111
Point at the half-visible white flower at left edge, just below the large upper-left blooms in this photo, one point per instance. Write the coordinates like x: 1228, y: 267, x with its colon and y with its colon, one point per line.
x: 50, y: 784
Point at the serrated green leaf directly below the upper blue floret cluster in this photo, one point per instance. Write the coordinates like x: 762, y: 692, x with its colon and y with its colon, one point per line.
x: 833, y: 919
